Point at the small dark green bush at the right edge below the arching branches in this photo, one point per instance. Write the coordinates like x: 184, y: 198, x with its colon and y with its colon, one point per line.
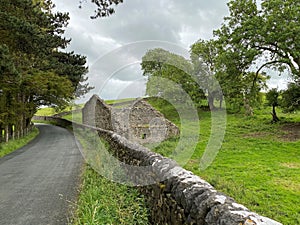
x: 291, y: 97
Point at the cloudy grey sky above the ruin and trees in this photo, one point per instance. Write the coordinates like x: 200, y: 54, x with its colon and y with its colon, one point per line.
x: 115, y: 45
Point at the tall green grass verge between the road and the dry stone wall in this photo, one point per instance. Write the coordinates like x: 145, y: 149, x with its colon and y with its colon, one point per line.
x: 101, y: 201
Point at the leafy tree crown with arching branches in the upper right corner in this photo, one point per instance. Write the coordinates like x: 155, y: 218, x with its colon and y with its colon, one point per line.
x: 270, y: 32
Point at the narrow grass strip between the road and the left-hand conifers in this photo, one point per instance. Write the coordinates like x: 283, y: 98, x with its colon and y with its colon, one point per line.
x: 12, y: 145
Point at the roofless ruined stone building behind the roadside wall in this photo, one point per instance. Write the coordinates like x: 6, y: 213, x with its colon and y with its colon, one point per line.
x: 137, y: 121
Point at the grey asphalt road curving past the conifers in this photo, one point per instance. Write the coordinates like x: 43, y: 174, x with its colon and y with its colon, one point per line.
x: 39, y: 182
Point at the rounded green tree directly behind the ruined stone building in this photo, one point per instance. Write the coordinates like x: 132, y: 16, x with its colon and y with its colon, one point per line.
x: 161, y: 63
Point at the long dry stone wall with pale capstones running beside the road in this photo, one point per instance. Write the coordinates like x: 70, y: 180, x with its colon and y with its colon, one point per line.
x: 175, y: 196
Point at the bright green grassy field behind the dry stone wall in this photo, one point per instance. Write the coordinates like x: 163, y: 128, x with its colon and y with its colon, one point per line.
x: 255, y: 165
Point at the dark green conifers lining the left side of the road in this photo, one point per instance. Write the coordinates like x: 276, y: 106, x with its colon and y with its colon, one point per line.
x: 34, y: 69
